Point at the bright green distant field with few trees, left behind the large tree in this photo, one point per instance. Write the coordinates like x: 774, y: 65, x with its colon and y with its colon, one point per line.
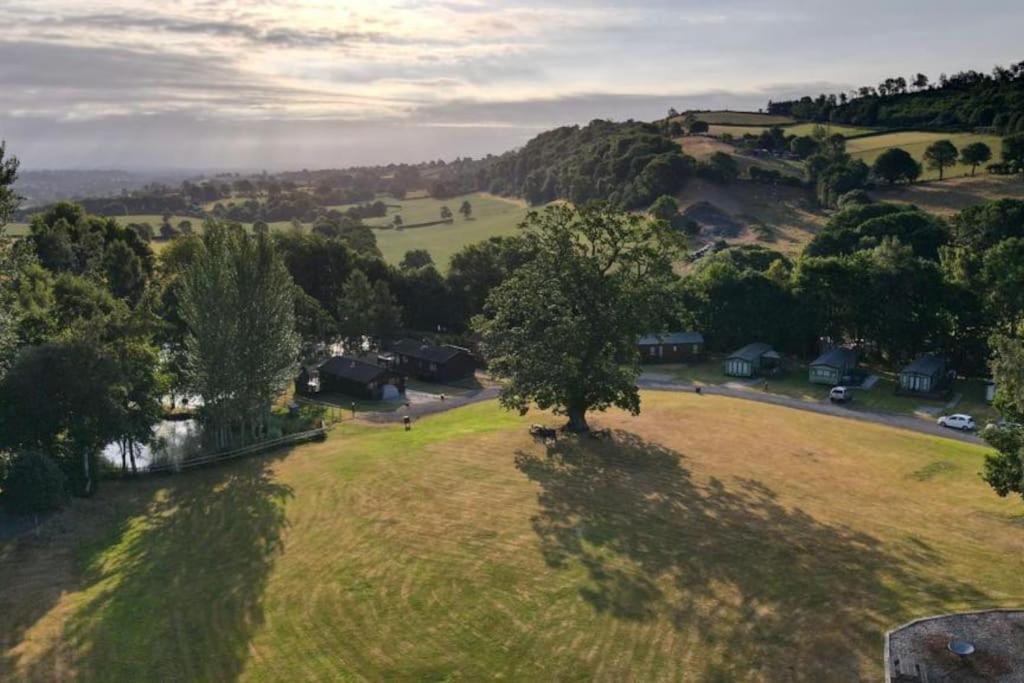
x: 492, y: 217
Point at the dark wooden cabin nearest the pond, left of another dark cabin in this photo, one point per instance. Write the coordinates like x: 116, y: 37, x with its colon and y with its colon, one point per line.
x: 352, y: 377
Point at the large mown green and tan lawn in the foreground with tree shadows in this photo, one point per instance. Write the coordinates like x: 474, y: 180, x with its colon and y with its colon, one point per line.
x: 709, y: 539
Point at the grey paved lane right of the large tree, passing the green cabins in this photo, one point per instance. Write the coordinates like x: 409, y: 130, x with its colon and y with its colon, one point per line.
x: 852, y: 413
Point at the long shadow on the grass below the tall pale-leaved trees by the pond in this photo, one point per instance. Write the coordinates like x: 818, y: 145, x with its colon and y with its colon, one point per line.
x: 176, y: 587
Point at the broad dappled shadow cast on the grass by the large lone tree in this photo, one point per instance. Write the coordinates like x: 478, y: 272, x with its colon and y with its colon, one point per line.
x: 767, y: 591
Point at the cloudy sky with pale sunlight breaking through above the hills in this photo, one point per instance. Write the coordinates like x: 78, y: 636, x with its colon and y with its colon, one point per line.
x: 290, y: 84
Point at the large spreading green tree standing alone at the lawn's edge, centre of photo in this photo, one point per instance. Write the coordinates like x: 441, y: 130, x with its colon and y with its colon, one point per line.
x: 562, y: 331
